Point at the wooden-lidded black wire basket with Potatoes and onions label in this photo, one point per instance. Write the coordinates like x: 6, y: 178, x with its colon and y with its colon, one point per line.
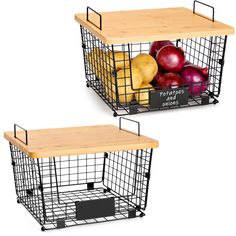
x: 111, y: 40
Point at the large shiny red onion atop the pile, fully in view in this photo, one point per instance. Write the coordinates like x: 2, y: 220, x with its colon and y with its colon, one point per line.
x: 171, y: 58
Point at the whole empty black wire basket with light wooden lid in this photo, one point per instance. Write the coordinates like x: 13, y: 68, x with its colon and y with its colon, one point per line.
x: 88, y: 185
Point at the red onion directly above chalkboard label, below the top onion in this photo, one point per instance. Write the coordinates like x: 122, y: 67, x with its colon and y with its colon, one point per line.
x: 169, y: 81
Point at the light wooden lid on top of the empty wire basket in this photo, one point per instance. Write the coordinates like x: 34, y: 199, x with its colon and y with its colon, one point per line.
x: 79, y: 140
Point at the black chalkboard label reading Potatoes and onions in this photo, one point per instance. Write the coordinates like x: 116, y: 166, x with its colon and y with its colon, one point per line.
x: 168, y: 98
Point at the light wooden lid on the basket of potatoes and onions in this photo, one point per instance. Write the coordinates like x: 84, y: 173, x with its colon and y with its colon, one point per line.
x: 151, y: 25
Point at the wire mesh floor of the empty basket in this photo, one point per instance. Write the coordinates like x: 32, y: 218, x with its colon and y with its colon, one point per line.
x: 61, y: 215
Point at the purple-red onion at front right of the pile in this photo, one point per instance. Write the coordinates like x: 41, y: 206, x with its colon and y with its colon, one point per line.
x: 195, y: 79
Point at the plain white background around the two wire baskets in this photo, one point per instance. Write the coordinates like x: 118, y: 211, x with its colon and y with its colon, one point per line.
x: 193, y: 183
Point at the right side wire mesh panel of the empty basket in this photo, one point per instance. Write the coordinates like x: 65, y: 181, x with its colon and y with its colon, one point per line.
x: 127, y: 174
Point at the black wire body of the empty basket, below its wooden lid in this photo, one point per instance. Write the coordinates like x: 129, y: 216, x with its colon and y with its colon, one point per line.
x: 54, y: 189
